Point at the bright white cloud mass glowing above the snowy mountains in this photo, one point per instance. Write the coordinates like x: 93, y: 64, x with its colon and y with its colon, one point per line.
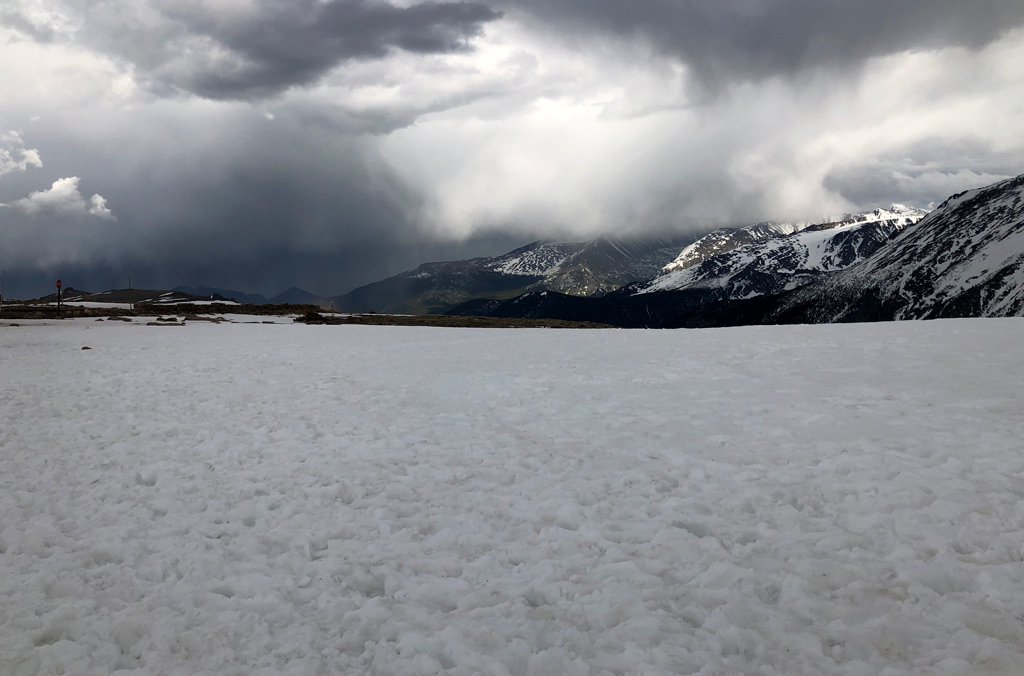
x: 599, y: 144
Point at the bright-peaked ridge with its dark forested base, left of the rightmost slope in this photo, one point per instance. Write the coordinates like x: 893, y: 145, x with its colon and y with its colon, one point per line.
x: 720, y: 289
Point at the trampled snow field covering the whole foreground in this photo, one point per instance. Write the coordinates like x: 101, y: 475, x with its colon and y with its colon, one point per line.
x: 229, y: 499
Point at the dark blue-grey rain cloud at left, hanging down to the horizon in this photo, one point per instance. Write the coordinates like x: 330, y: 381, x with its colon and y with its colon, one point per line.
x: 268, y: 207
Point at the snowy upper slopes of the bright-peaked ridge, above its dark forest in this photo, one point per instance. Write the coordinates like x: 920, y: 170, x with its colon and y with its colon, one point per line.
x: 770, y: 259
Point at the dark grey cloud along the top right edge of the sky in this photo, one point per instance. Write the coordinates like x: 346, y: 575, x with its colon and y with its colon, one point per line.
x: 726, y: 40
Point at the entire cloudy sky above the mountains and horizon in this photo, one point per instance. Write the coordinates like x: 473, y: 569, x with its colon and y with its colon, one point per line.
x: 255, y: 145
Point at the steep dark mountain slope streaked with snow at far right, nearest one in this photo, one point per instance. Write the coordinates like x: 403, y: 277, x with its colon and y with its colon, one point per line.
x: 964, y: 260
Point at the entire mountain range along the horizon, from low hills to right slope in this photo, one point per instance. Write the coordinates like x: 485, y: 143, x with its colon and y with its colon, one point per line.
x: 966, y: 259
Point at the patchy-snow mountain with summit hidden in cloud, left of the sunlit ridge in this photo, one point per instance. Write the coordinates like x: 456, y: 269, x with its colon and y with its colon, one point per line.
x: 579, y: 269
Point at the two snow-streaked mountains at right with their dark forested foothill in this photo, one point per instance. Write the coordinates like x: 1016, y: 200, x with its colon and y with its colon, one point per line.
x: 963, y: 260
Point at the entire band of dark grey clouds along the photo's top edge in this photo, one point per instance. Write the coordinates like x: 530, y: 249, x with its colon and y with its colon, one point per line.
x: 227, y: 52
